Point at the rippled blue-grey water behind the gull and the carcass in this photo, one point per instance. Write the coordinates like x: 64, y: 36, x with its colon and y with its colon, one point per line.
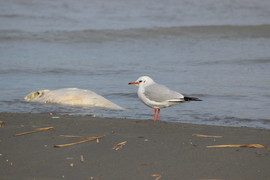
x: 218, y: 51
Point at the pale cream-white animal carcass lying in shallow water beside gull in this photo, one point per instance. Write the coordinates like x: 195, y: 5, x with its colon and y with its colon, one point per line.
x: 71, y: 97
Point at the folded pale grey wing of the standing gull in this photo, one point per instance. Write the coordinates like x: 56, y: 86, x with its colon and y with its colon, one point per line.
x: 160, y: 93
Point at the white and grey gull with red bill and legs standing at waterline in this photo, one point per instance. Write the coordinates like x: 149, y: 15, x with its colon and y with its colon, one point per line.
x: 158, y: 96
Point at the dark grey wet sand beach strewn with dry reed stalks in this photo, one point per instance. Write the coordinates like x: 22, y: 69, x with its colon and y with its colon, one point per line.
x: 152, y: 148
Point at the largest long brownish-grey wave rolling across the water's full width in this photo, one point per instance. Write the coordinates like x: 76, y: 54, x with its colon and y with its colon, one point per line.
x: 105, y: 35
